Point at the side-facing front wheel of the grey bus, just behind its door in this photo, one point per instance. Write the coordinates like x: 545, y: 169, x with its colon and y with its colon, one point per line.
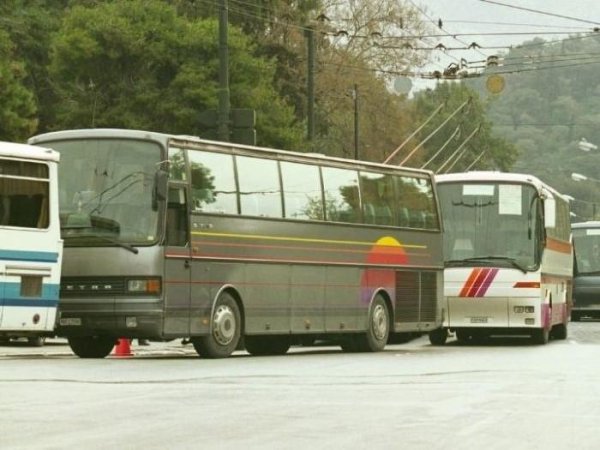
x: 225, y: 330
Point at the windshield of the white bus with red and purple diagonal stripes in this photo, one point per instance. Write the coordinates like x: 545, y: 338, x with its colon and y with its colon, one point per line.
x: 490, y: 223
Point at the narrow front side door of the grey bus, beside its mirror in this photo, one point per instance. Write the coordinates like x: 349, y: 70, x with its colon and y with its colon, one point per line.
x: 177, y: 276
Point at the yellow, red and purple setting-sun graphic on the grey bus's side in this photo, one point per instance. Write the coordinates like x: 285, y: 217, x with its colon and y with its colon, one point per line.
x: 387, y: 251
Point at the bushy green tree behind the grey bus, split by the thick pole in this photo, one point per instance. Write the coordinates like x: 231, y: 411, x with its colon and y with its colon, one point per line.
x: 138, y: 64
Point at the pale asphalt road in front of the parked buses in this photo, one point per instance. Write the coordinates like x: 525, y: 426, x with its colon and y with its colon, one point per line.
x: 505, y: 394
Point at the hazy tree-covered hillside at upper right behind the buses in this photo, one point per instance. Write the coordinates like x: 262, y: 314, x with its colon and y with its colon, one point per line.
x: 549, y: 103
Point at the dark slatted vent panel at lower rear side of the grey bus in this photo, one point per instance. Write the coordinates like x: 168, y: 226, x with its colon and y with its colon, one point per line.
x: 416, y: 296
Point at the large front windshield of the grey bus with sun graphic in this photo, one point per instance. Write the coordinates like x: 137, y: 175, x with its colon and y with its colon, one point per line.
x: 106, y: 190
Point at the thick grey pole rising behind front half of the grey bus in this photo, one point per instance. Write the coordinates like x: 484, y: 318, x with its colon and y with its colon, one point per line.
x: 223, y: 112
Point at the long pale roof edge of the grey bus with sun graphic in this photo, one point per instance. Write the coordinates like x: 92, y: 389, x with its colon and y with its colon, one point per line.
x: 164, y: 138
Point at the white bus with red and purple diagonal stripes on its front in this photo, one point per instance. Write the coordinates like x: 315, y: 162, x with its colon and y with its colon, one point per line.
x: 508, y: 257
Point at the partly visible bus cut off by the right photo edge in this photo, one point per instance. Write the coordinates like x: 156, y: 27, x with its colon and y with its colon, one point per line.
x: 586, y: 281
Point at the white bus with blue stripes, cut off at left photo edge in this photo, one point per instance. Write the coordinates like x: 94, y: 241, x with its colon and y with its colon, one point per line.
x: 31, y: 248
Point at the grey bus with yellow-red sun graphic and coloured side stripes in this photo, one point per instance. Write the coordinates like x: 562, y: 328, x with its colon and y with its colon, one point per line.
x: 227, y: 245
